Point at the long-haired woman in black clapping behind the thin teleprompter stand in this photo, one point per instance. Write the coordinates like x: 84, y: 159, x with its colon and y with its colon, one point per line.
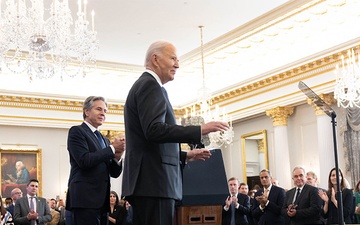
x: 330, y: 209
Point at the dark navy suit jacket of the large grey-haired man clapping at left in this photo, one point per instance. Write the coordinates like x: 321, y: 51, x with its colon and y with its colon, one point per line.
x: 91, y: 168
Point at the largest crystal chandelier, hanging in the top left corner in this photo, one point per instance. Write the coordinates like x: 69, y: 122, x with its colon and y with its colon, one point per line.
x: 39, y: 41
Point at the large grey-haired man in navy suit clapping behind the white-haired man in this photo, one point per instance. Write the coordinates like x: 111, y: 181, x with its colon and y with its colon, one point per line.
x: 93, y: 161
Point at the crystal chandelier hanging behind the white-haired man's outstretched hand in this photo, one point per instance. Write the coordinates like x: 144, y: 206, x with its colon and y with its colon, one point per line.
x: 207, y: 113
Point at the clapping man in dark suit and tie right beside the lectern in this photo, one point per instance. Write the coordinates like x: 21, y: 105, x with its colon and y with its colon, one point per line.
x: 237, y: 205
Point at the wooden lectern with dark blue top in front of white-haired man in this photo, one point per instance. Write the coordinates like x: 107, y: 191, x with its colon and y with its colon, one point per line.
x: 204, y: 192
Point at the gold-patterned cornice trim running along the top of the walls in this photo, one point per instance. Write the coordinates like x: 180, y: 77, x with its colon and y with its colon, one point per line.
x: 322, y: 63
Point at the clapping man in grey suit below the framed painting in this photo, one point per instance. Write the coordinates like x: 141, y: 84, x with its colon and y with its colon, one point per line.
x: 31, y: 209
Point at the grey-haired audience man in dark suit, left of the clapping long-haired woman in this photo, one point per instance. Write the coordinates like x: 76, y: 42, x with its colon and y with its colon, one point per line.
x: 302, y: 203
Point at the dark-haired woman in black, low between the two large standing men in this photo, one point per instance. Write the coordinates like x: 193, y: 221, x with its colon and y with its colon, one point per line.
x: 117, y: 213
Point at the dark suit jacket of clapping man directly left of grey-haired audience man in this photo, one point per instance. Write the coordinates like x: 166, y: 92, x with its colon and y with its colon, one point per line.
x: 271, y: 214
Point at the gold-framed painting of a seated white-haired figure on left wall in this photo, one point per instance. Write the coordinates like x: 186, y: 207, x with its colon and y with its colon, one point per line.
x: 18, y: 166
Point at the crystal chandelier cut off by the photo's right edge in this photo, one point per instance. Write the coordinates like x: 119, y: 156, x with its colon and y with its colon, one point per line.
x: 347, y: 87
